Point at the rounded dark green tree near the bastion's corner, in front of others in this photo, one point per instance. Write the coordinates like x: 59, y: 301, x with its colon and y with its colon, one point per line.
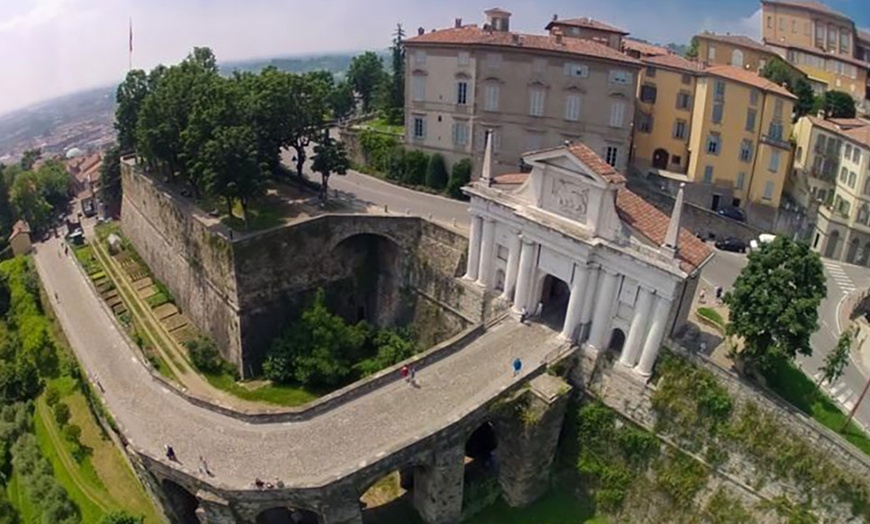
x: 230, y: 167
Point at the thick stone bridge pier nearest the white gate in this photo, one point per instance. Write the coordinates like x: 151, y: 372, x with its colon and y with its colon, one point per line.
x: 527, y: 445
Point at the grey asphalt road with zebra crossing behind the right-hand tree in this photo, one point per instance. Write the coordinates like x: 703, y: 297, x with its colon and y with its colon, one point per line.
x: 842, y: 279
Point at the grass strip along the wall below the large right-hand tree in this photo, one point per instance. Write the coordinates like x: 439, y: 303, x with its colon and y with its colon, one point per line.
x: 794, y: 386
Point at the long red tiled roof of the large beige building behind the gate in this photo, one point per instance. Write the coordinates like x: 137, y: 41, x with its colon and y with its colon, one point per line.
x: 473, y: 35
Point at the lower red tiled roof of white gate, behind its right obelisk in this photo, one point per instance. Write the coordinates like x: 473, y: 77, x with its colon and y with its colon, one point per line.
x: 653, y: 224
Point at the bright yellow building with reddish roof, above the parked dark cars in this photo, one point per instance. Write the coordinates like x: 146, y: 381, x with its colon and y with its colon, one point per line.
x: 739, y: 153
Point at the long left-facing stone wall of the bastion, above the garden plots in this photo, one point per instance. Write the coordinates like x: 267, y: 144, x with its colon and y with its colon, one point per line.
x: 195, y: 263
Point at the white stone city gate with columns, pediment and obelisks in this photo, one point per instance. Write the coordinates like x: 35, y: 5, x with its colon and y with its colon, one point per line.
x: 571, y: 245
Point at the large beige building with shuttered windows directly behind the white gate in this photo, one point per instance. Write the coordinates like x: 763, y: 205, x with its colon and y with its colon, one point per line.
x: 532, y: 91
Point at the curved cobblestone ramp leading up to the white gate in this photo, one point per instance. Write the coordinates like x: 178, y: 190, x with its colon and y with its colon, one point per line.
x: 300, y: 453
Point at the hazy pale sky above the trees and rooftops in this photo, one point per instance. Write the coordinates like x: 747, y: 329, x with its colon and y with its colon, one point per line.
x: 54, y: 47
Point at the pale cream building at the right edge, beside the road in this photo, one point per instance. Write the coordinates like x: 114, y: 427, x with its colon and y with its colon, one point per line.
x: 843, y: 225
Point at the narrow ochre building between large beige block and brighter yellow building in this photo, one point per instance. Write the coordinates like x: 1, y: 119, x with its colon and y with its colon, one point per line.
x: 666, y: 88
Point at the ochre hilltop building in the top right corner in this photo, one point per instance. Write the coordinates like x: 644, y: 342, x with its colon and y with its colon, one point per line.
x: 822, y: 43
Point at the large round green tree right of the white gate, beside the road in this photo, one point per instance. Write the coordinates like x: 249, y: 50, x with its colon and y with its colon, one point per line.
x: 774, y: 303
